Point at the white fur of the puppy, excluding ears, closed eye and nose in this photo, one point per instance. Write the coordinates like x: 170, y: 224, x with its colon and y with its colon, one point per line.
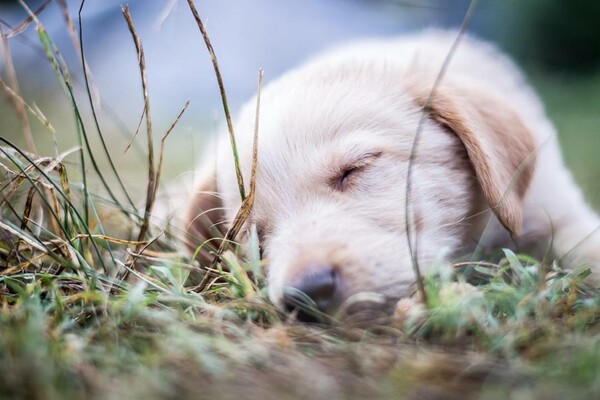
x: 352, y: 102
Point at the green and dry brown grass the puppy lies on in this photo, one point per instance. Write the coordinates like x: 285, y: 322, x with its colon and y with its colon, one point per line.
x: 89, y: 308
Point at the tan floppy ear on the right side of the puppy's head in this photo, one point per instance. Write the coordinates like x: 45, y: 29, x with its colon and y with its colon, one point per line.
x: 500, y: 146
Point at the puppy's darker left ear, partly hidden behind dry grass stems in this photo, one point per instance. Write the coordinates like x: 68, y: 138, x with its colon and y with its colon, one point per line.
x: 204, y: 214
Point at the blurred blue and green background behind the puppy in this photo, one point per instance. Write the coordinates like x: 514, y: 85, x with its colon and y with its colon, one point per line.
x: 556, y: 42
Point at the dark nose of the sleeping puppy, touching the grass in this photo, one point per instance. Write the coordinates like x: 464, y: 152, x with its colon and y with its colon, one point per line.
x: 312, y: 295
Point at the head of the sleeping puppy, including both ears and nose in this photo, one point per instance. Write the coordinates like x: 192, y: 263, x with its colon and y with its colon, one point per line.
x: 334, y: 149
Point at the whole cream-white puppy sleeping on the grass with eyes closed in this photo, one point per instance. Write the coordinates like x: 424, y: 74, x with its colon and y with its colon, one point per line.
x: 334, y: 146
